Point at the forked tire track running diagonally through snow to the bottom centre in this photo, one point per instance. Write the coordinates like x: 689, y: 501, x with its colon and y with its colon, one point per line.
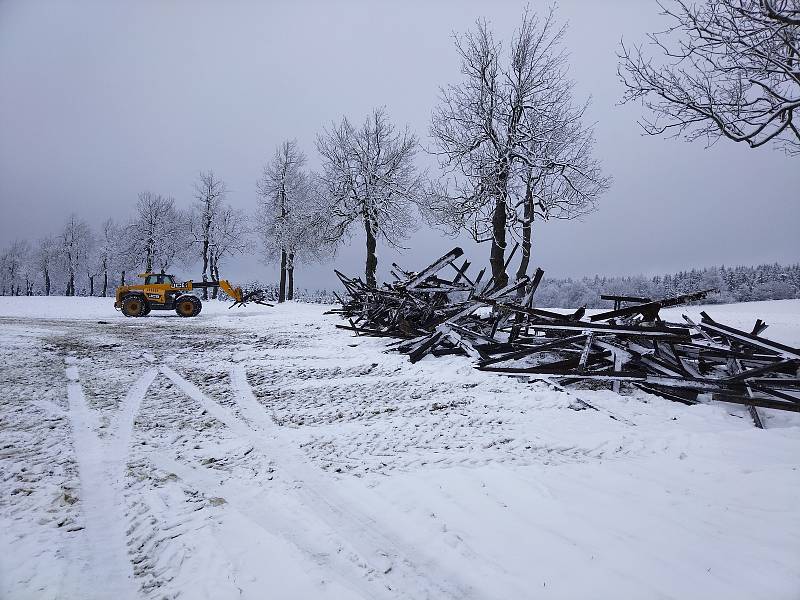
x: 385, y: 552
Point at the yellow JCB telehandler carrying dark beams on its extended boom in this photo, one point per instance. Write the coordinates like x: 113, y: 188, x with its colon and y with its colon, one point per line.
x: 161, y: 292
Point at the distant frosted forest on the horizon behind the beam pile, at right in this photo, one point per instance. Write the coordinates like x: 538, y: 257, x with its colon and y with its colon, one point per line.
x: 735, y: 284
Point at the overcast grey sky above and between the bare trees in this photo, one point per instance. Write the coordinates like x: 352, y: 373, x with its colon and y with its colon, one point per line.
x: 101, y: 100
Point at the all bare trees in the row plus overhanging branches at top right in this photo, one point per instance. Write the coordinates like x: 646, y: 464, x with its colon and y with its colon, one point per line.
x: 509, y: 136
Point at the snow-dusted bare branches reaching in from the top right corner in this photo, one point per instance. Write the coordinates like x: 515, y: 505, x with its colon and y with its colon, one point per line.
x: 725, y: 69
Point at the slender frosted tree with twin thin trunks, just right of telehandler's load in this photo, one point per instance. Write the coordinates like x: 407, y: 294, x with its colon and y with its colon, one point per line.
x: 288, y: 218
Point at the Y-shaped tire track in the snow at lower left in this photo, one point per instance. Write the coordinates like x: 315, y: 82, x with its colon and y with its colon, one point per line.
x: 101, y: 469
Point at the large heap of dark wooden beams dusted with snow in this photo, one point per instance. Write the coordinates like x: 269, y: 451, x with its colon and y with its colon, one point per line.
x: 442, y: 310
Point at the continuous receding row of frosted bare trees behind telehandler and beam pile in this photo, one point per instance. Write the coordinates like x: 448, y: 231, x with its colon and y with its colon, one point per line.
x: 509, y: 137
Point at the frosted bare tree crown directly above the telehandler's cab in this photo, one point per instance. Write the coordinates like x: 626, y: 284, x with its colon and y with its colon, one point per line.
x: 158, y: 236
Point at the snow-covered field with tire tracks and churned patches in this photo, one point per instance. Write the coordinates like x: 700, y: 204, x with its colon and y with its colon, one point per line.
x: 262, y: 453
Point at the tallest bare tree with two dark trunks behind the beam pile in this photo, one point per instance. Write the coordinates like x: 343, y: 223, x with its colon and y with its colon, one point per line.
x: 502, y: 127
